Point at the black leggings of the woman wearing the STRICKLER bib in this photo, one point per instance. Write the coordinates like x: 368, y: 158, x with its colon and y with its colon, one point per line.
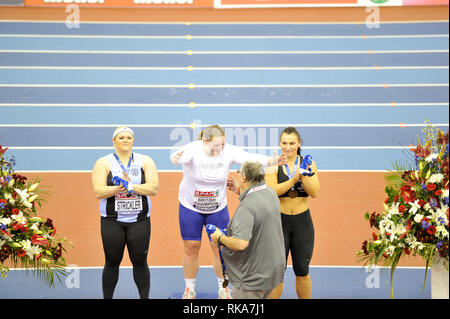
x: 115, y: 235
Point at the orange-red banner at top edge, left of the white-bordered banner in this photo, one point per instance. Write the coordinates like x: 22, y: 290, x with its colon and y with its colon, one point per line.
x: 124, y: 3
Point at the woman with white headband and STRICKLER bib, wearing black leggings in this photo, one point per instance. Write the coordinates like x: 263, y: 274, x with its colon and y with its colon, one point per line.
x: 125, y: 212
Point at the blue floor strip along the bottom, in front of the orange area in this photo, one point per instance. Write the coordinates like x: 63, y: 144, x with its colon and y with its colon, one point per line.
x: 168, y: 283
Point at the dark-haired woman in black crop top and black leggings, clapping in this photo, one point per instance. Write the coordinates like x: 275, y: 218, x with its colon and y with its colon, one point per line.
x: 293, y: 190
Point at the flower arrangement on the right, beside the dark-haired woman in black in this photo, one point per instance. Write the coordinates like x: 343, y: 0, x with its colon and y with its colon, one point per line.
x: 415, y: 220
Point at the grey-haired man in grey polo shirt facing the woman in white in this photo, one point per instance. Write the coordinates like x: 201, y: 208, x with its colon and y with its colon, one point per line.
x: 253, y: 249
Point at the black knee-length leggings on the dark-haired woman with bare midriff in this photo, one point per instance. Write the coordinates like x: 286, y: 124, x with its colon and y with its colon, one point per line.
x: 298, y: 231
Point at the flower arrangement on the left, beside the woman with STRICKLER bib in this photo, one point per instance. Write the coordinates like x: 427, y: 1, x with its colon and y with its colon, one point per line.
x: 26, y: 240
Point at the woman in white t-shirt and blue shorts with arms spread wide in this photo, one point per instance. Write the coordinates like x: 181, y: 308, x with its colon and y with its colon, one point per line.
x: 203, y: 196
